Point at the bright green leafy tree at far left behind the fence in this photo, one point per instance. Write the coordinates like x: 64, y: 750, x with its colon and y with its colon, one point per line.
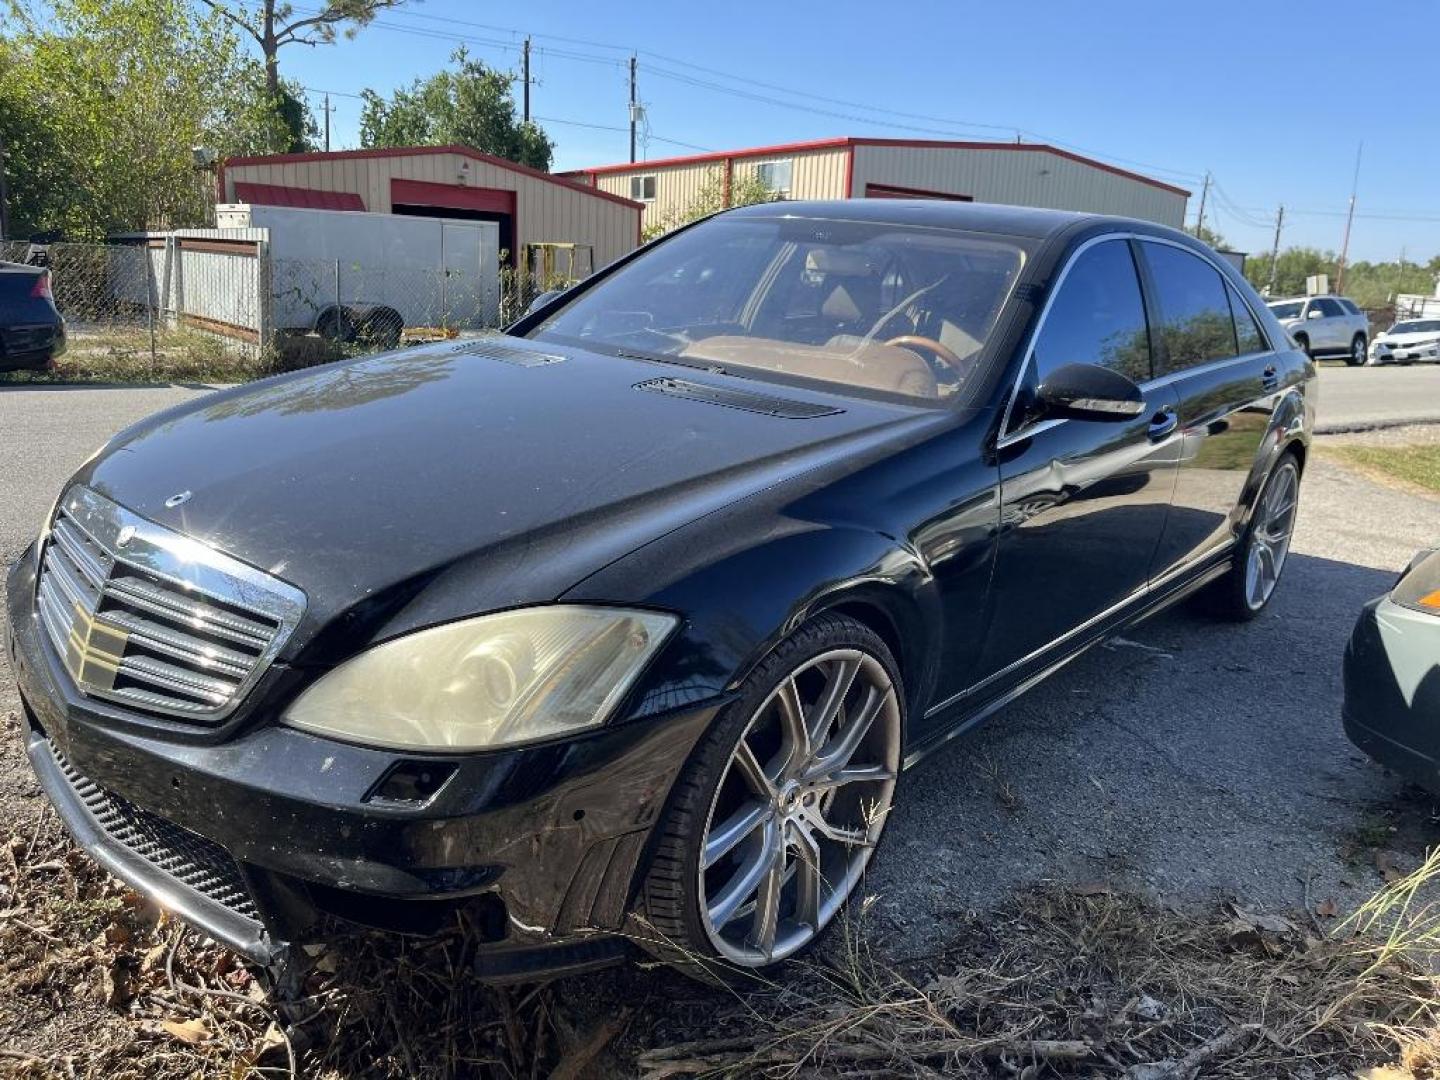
x: 126, y: 90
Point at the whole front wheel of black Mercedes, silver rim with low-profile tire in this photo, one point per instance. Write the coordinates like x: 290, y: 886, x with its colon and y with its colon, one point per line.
x: 778, y: 813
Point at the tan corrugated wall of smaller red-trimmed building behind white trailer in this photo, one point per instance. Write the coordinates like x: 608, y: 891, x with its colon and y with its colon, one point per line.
x: 546, y: 211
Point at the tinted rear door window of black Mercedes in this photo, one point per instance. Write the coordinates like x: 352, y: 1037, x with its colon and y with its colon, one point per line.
x: 1196, y: 322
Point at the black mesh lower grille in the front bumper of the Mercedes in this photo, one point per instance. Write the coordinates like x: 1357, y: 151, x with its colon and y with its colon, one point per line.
x: 189, y: 859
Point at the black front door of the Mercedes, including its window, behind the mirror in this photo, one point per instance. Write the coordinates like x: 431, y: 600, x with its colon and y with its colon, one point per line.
x: 1084, y: 503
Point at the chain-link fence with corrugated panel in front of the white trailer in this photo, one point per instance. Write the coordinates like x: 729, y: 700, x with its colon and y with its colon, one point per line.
x: 201, y: 306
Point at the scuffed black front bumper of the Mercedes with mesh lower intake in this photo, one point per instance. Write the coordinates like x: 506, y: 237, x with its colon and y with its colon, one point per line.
x: 267, y: 837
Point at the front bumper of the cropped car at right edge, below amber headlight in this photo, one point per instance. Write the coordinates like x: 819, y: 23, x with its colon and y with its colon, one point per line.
x: 1392, y: 706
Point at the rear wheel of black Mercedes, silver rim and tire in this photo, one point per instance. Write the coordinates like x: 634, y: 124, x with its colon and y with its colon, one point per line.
x: 1261, y: 554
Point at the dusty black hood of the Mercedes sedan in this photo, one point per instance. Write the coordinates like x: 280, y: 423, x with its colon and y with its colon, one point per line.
x: 423, y: 486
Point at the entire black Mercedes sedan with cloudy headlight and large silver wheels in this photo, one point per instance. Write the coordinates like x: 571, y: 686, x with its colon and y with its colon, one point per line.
x: 623, y: 629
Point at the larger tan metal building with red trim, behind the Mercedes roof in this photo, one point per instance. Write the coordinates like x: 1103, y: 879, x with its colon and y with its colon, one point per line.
x: 1014, y: 174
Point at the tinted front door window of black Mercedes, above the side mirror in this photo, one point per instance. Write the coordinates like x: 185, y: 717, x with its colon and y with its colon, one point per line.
x: 1098, y: 318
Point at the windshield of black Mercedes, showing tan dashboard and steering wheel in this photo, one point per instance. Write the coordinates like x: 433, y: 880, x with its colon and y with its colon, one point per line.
x: 858, y: 305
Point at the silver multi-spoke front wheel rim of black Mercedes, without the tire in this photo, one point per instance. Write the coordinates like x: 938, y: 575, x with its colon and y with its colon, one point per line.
x: 800, y: 807
